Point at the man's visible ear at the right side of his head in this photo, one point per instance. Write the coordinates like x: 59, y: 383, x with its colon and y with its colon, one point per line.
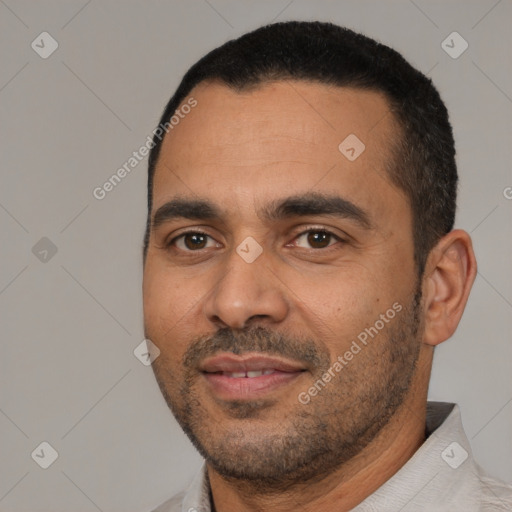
x: 449, y: 275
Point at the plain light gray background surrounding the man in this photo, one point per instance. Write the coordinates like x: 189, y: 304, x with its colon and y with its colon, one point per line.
x: 71, y: 322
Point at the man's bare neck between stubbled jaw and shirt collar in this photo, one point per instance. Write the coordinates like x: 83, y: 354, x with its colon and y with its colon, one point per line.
x: 350, y: 484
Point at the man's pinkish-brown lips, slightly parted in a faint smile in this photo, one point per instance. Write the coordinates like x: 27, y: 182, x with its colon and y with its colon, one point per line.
x: 247, y: 377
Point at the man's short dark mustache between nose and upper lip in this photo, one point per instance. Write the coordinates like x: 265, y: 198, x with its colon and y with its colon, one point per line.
x: 255, y: 339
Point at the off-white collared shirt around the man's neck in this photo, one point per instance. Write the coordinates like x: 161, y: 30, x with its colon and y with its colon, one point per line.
x: 441, y: 476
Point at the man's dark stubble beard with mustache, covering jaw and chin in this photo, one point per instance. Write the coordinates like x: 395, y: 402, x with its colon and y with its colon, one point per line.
x: 312, y: 440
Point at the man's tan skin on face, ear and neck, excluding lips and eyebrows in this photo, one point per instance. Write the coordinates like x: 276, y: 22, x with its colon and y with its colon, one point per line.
x: 241, y: 152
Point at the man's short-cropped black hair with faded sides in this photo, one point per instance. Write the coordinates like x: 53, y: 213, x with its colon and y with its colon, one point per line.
x: 423, y: 165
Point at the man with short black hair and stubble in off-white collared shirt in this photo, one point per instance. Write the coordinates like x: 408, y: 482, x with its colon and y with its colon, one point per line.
x: 300, y: 266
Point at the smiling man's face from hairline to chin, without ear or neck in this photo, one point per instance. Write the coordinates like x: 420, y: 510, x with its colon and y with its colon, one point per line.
x: 254, y: 297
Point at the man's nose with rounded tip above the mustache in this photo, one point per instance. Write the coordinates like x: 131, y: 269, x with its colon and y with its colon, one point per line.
x: 246, y: 293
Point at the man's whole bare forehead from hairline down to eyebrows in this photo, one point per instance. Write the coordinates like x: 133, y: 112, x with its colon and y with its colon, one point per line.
x: 280, y: 136
